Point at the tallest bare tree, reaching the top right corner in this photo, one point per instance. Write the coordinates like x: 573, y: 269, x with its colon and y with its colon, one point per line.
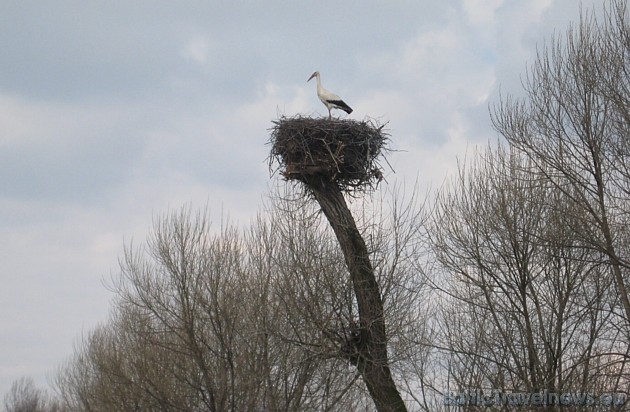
x: 573, y: 125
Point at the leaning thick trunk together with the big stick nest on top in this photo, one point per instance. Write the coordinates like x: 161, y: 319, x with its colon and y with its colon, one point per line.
x: 331, y: 157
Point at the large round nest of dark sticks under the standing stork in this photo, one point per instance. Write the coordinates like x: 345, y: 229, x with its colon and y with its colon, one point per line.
x: 318, y: 151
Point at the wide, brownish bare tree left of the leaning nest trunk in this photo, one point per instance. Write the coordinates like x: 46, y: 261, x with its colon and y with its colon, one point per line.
x: 190, y: 330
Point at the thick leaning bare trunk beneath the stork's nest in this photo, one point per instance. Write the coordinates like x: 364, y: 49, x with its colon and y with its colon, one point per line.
x: 369, y: 347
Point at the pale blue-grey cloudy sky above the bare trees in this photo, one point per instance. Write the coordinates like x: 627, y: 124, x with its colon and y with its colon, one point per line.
x: 114, y: 112
